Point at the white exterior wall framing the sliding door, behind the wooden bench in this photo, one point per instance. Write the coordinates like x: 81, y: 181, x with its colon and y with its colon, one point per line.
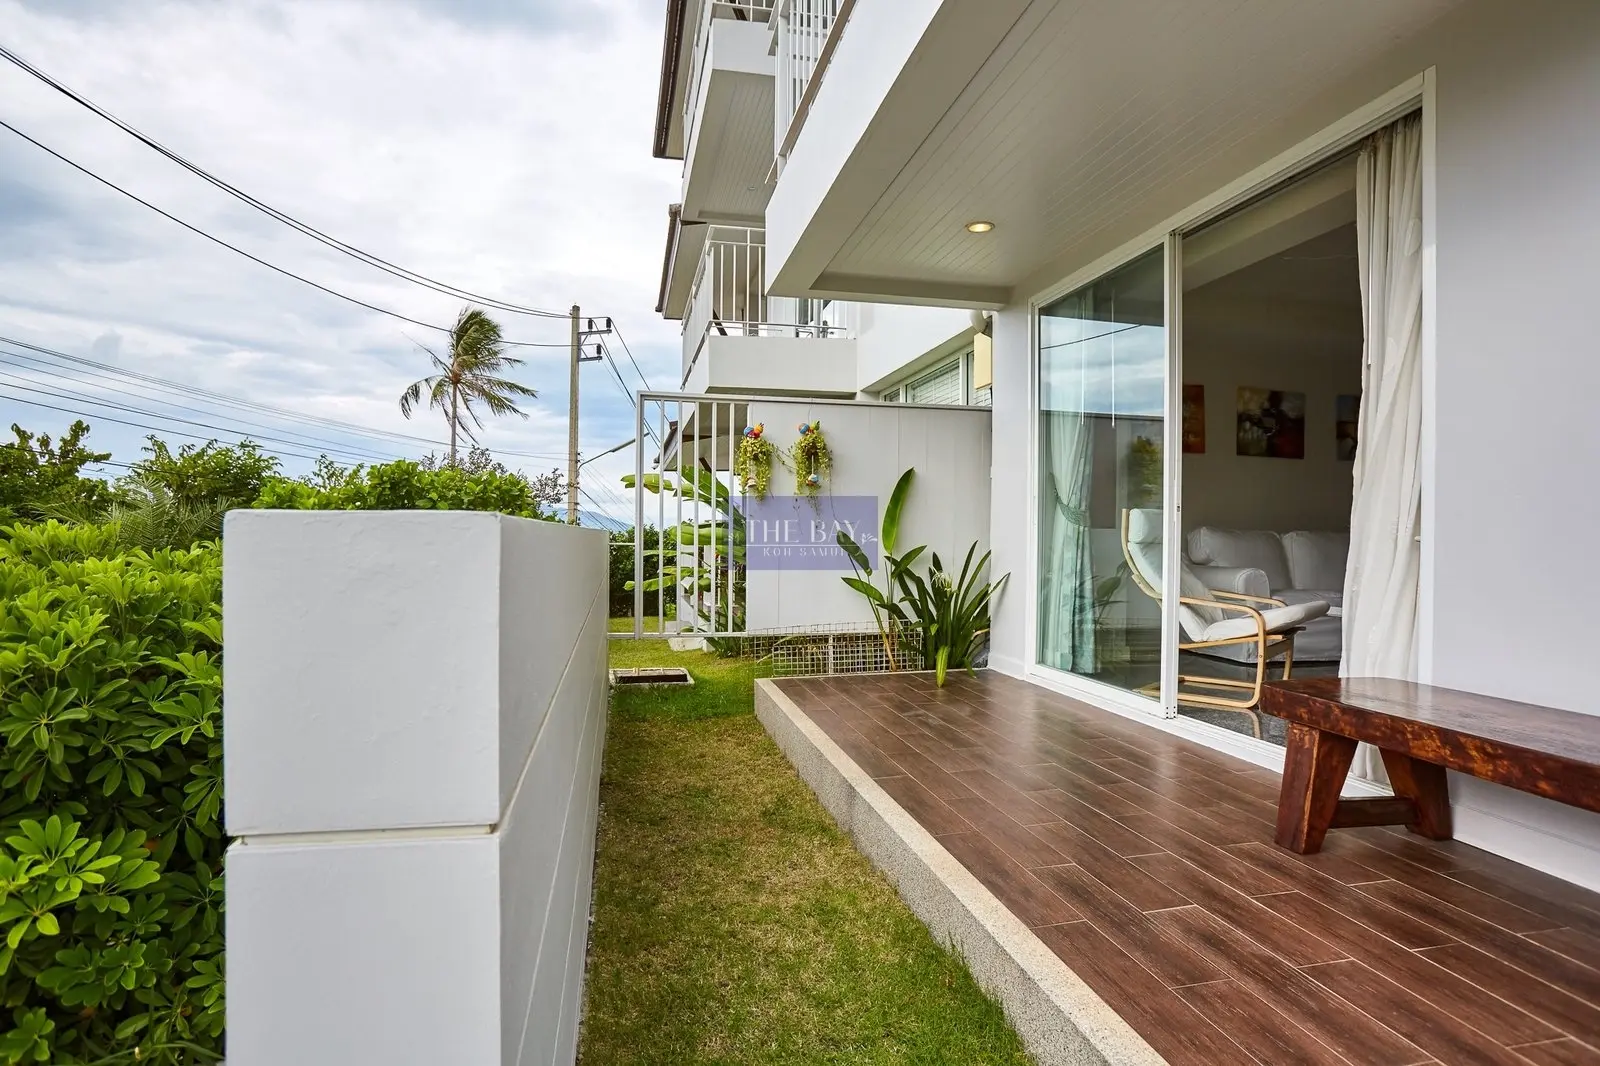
x: 1516, y: 443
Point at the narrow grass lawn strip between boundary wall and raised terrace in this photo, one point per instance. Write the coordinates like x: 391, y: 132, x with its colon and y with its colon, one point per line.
x: 734, y: 921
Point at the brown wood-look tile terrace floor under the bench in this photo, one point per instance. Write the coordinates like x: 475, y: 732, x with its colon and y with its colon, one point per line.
x: 1146, y: 864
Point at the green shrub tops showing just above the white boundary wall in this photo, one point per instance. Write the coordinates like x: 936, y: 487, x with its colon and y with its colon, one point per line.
x: 406, y: 486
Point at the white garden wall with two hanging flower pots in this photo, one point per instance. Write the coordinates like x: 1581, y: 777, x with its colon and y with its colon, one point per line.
x: 873, y: 444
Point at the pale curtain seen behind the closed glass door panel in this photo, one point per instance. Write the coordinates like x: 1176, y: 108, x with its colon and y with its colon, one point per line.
x: 1068, y: 596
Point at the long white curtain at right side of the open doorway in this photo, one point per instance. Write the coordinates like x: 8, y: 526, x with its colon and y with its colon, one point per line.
x: 1385, y: 566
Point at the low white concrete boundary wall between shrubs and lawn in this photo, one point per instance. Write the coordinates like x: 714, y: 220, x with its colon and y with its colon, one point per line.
x: 412, y: 745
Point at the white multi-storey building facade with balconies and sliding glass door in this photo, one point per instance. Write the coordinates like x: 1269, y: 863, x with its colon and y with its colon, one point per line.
x: 1244, y: 198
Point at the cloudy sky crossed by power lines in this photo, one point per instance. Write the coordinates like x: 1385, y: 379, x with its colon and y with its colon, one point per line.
x: 502, y: 146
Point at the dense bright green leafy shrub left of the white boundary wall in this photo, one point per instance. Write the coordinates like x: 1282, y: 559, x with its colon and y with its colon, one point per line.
x: 111, y: 799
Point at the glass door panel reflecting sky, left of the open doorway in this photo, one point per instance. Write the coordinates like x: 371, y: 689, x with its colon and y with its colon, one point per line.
x: 1102, y: 396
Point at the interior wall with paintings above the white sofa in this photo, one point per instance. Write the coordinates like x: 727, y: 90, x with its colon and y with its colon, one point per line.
x: 1270, y: 347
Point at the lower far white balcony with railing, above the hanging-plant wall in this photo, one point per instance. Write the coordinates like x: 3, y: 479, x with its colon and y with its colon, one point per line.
x: 740, y: 340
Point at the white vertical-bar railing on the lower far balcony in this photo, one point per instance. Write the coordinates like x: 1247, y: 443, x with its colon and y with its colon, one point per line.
x: 729, y: 297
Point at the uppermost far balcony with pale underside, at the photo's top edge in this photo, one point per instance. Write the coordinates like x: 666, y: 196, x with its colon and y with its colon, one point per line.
x: 727, y: 113
